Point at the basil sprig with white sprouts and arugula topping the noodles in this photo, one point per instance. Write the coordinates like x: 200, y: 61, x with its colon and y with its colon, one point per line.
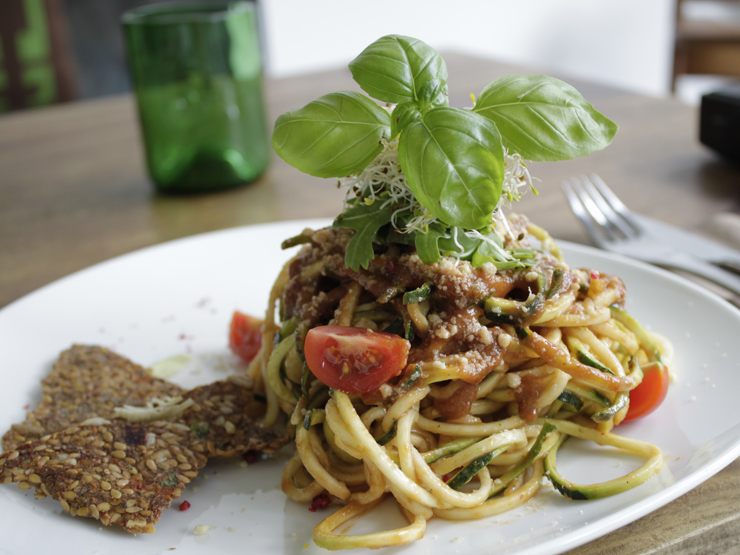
x: 445, y: 169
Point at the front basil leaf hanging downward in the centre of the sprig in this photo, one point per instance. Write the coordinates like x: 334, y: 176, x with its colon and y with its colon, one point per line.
x: 454, y: 164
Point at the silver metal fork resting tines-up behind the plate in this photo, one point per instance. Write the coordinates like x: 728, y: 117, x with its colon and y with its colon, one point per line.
x: 613, y: 227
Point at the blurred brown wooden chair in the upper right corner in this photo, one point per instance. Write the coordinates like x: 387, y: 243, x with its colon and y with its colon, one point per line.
x: 706, y: 47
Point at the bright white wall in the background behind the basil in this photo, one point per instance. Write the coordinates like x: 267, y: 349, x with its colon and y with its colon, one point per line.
x: 627, y: 43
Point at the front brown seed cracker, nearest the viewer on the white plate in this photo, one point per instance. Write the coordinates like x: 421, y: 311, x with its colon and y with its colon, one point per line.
x: 117, y: 472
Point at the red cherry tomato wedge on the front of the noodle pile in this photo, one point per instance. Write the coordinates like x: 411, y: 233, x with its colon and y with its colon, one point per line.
x: 354, y: 360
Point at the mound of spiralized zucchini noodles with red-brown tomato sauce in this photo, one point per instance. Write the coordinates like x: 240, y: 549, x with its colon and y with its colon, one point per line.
x: 504, y: 366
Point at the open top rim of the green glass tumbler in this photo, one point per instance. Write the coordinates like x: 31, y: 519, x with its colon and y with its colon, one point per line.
x: 168, y: 13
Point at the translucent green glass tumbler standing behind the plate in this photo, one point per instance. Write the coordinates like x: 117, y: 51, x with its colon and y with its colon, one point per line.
x: 197, y: 75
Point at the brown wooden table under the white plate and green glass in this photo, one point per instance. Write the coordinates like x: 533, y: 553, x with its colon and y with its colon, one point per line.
x: 74, y: 191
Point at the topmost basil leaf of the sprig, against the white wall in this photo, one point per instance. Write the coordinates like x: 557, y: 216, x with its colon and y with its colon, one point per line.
x: 394, y: 68
